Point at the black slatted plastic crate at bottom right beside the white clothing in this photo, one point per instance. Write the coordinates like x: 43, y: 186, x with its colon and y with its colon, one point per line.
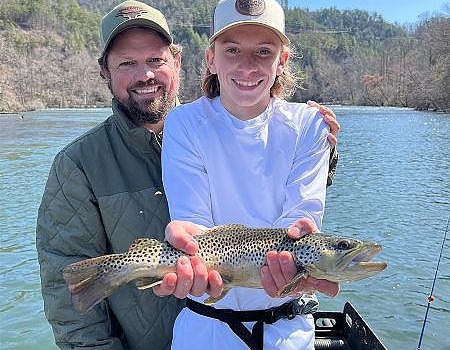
x: 344, y: 330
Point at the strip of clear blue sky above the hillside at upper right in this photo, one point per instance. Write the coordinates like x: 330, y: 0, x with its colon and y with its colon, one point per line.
x: 394, y: 11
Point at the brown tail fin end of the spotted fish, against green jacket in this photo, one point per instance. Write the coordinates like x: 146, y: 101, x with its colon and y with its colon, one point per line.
x: 91, y: 280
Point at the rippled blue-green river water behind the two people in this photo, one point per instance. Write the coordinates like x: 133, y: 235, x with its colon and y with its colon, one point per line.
x: 392, y: 186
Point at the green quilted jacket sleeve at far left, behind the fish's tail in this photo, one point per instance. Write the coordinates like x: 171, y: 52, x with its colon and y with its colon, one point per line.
x: 69, y: 228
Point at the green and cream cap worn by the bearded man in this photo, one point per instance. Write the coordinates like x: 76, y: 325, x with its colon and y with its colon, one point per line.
x: 130, y: 14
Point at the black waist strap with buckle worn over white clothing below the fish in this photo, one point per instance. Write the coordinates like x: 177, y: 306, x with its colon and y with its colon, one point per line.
x: 234, y: 319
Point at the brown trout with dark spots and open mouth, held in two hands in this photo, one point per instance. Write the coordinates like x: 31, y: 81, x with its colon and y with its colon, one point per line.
x: 237, y: 252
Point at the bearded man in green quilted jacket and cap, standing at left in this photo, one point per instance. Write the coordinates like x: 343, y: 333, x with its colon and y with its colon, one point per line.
x: 104, y: 189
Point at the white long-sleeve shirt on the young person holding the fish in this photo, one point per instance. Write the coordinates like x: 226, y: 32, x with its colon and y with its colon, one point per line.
x: 268, y: 171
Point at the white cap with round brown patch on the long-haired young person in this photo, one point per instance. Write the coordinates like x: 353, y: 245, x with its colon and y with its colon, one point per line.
x: 232, y: 13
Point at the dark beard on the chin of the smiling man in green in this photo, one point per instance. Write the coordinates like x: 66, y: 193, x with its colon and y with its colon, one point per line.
x: 150, y: 111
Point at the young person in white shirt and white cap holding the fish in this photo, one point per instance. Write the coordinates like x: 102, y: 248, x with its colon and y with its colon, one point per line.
x: 243, y: 154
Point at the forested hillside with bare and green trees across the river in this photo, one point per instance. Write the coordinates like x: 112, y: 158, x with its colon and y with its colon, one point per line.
x: 49, y: 50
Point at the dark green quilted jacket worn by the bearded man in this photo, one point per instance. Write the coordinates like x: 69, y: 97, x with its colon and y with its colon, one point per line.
x: 104, y: 190
